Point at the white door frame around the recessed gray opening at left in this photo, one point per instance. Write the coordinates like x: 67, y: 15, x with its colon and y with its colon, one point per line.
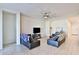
x: 17, y: 26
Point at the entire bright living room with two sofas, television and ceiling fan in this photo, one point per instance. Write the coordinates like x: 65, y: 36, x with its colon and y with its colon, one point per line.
x: 43, y: 20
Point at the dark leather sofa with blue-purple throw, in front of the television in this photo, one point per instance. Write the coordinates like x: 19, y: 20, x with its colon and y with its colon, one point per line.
x: 30, y: 43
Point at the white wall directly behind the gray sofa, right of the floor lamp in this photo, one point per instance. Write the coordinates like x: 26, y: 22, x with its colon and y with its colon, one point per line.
x: 58, y: 24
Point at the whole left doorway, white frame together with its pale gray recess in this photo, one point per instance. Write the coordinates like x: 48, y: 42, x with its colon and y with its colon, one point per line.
x: 10, y: 27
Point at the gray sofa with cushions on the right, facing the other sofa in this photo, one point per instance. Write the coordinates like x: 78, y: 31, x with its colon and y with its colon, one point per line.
x: 57, y: 39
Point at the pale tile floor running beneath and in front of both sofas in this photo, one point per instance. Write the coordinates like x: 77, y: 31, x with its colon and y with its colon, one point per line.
x: 70, y: 47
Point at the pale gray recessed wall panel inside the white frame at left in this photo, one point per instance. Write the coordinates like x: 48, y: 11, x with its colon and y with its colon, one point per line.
x: 9, y: 28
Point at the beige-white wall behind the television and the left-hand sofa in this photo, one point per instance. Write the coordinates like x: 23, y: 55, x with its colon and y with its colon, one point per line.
x: 27, y: 24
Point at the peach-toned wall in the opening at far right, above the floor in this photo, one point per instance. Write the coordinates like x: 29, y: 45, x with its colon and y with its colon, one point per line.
x: 74, y: 26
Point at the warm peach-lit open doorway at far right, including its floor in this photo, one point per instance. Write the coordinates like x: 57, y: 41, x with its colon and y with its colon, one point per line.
x: 73, y: 32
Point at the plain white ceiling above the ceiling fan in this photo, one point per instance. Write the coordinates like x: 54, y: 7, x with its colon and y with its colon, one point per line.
x: 35, y: 9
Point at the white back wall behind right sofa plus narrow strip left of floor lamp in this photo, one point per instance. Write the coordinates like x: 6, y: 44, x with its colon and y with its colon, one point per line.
x: 56, y: 25
